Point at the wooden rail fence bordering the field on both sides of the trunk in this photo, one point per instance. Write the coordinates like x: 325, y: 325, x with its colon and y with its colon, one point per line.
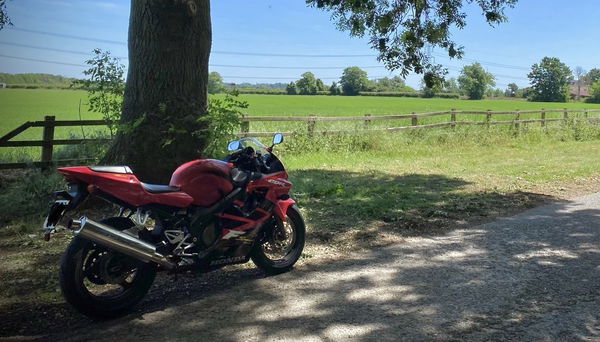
x: 49, y: 123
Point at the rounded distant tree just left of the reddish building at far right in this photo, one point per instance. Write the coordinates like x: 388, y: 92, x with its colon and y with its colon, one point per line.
x: 549, y: 80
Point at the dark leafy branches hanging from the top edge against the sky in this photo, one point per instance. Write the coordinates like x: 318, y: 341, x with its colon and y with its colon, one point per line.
x: 404, y: 31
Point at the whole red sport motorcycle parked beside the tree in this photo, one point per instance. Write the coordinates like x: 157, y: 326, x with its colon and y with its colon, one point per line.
x: 213, y: 213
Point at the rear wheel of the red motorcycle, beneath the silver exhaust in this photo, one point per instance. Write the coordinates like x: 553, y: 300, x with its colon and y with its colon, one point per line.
x: 101, y: 283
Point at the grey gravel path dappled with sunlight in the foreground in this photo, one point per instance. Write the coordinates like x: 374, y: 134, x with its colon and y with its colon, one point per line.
x: 531, y: 277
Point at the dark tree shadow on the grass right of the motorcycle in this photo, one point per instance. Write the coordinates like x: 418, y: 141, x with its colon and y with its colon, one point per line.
x: 357, y: 207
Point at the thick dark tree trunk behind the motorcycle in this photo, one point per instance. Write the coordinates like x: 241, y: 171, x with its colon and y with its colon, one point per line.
x: 166, y: 89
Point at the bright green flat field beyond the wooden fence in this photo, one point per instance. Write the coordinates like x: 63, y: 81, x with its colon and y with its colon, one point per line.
x: 20, y: 105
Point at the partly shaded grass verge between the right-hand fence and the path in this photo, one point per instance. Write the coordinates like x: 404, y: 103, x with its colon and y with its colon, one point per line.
x: 421, y: 184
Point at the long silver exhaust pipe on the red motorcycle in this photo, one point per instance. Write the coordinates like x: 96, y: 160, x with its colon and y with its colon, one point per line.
x: 119, y: 241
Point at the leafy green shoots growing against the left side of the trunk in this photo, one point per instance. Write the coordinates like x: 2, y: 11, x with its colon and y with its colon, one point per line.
x: 105, y: 86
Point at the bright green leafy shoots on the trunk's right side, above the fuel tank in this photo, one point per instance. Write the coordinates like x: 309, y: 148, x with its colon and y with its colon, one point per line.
x: 222, y: 120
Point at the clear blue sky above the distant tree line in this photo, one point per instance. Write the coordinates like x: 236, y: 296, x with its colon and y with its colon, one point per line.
x: 268, y: 41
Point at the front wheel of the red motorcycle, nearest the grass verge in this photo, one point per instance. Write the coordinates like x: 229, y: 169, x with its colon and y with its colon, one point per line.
x: 281, y: 247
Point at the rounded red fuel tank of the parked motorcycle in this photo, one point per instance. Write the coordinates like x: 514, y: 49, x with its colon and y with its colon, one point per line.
x: 205, y: 180
